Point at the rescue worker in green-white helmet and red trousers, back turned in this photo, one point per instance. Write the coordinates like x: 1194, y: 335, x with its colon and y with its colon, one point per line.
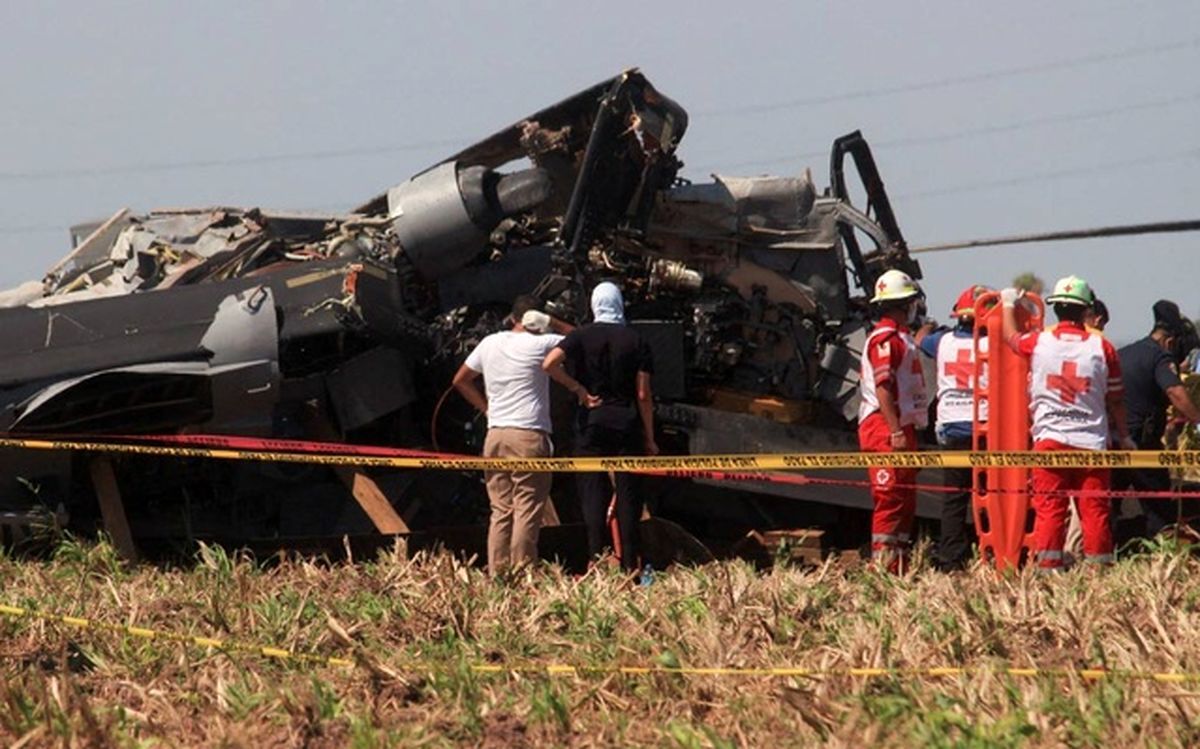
x: 1076, y: 397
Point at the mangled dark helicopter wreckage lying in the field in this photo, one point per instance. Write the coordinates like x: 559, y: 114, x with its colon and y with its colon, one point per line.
x: 349, y: 327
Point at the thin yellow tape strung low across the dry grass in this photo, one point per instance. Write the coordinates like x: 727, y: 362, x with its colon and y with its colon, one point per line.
x: 553, y: 669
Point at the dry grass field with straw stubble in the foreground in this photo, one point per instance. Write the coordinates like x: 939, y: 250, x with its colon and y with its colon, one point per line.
x: 419, y: 627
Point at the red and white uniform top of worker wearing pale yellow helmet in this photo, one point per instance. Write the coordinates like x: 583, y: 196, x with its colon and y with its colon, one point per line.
x: 891, y: 361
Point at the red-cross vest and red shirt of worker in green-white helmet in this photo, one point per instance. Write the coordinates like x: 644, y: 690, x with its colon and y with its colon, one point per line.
x: 1072, y: 371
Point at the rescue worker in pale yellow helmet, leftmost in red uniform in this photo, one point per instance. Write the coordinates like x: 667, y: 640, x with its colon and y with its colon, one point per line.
x: 893, y: 406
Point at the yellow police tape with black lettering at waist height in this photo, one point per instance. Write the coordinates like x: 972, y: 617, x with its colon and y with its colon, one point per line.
x: 783, y: 462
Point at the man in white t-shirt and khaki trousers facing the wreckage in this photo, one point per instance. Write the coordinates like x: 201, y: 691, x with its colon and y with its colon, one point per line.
x: 517, y: 402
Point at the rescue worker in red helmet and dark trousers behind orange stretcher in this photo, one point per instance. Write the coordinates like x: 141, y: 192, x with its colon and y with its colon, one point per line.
x: 955, y: 353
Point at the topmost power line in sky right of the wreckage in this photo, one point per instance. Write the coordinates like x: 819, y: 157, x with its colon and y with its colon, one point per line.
x: 956, y: 81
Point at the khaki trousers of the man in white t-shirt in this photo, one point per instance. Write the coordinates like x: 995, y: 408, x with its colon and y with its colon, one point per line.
x: 518, y: 499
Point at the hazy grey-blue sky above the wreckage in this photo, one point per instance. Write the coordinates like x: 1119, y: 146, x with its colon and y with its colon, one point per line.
x: 987, y: 118
